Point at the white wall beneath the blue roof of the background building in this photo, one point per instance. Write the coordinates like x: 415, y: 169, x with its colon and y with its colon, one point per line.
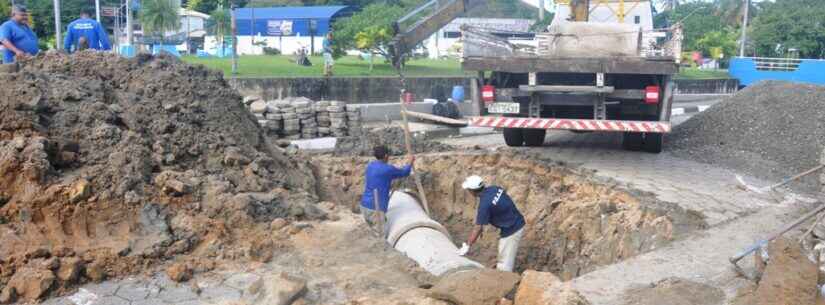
x: 287, y: 44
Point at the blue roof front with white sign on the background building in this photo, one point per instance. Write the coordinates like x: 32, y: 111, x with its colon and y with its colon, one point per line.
x: 287, y: 21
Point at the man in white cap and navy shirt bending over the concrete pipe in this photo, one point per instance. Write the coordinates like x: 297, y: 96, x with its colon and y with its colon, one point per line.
x: 497, y: 209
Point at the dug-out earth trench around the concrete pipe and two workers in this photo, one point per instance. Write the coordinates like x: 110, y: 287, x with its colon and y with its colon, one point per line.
x: 575, y: 222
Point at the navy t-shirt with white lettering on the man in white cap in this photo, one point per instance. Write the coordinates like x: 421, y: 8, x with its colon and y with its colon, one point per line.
x: 497, y: 209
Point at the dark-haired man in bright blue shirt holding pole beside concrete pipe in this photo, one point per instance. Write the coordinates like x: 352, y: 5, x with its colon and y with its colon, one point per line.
x: 378, y: 179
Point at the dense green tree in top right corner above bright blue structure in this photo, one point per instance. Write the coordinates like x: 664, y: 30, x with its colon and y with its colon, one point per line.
x: 791, y: 24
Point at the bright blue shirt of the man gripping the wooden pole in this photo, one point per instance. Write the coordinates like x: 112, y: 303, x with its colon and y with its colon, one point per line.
x: 379, y: 176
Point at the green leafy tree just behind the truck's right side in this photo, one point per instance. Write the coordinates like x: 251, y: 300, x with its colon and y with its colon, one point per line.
x: 697, y: 18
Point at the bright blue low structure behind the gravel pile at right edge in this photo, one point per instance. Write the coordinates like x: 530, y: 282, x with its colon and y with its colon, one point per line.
x: 809, y: 71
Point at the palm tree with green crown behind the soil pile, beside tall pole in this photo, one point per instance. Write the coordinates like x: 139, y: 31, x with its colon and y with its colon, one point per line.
x: 160, y: 16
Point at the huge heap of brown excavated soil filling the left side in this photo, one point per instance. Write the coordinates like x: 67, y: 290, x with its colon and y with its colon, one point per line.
x: 112, y: 165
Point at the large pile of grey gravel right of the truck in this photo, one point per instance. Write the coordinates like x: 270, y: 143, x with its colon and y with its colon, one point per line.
x: 770, y: 130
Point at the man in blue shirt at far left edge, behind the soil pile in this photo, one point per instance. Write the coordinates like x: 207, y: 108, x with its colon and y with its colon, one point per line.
x: 16, y: 35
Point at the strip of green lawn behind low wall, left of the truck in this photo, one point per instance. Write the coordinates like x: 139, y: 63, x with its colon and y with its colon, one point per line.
x: 284, y: 66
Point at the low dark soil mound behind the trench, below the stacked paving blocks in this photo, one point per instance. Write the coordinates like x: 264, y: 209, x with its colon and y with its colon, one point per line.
x: 392, y: 137
